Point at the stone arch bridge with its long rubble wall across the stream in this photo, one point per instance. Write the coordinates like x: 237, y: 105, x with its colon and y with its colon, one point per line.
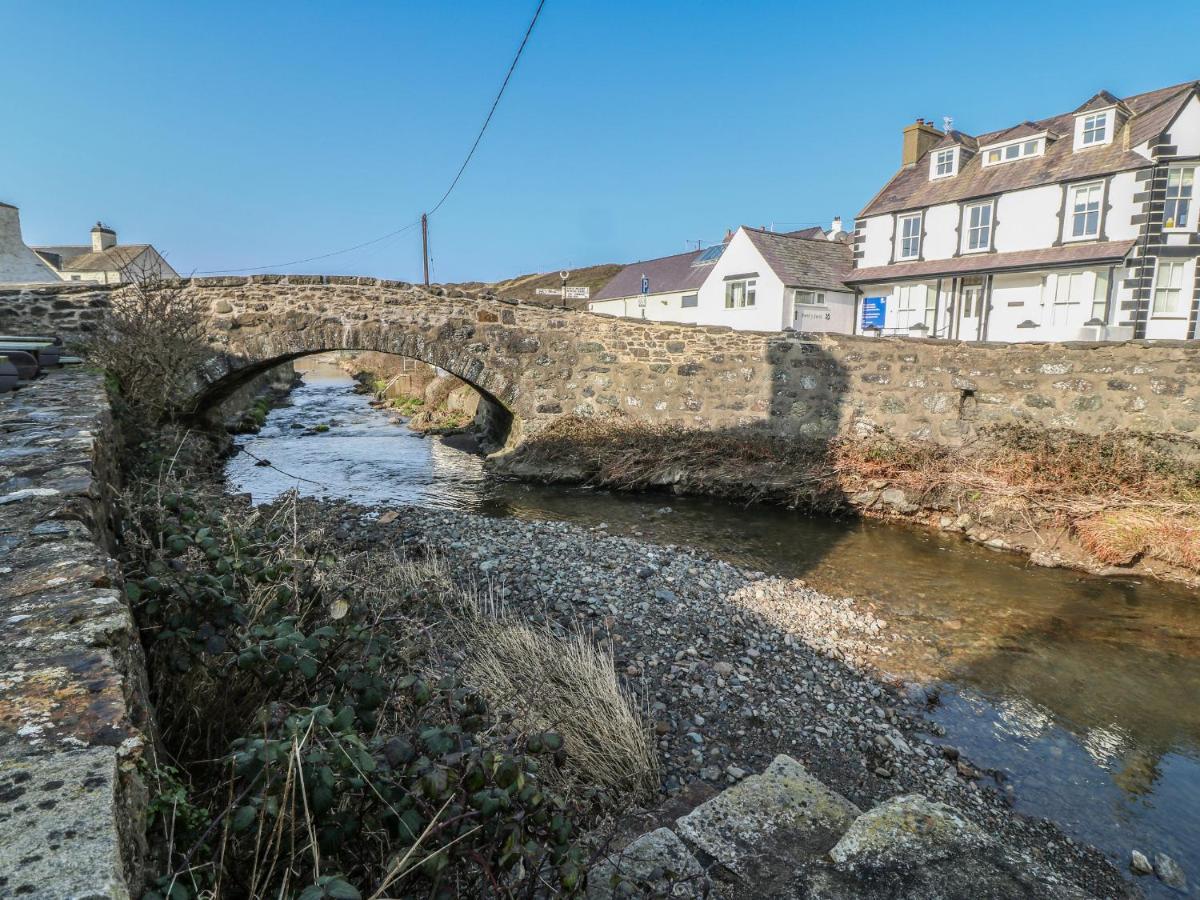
x: 538, y: 363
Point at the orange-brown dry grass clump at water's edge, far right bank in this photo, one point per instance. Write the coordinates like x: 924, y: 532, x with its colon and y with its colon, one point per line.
x: 1120, y: 537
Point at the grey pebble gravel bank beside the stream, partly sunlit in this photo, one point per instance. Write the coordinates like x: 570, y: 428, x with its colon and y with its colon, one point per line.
x: 736, y: 668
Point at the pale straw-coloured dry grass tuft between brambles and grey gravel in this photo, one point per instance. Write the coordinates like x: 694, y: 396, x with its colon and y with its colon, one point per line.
x: 571, y: 687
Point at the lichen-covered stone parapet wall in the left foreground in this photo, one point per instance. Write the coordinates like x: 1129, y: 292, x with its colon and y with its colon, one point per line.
x: 74, y: 715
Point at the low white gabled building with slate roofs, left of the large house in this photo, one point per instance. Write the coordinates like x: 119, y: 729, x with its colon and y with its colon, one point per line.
x: 757, y: 280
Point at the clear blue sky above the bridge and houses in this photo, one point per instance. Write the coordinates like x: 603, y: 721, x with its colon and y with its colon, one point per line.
x: 248, y: 135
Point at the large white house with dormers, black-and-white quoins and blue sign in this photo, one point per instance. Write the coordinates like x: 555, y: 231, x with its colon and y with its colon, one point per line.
x: 1082, y: 226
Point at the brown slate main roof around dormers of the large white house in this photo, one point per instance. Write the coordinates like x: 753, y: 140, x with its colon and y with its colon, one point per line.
x: 1151, y: 113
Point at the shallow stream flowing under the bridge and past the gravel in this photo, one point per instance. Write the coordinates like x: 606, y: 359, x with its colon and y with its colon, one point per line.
x: 1085, y: 691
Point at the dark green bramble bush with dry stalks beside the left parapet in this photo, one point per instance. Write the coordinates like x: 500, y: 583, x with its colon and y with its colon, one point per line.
x: 323, y: 760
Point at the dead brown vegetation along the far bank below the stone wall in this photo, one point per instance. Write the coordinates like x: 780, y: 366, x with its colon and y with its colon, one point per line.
x: 1125, y: 495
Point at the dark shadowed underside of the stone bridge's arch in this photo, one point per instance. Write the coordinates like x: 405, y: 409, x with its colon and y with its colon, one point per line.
x: 494, y: 423
